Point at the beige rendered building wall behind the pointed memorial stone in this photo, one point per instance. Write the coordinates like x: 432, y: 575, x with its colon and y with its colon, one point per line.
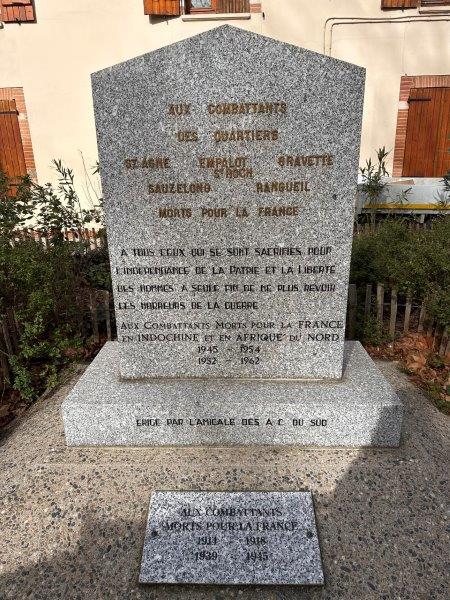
x: 53, y: 58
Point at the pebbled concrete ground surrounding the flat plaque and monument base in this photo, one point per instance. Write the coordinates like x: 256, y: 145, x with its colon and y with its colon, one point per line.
x: 73, y: 520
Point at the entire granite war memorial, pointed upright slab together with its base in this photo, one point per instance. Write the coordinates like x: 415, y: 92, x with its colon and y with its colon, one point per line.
x: 228, y: 165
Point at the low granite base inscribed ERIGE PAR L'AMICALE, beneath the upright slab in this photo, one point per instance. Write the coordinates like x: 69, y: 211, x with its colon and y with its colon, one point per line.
x: 361, y: 409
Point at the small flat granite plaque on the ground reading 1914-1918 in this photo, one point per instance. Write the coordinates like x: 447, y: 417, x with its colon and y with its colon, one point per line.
x: 231, y: 537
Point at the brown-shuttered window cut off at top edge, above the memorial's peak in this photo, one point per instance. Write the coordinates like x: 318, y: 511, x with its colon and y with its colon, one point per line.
x: 178, y: 7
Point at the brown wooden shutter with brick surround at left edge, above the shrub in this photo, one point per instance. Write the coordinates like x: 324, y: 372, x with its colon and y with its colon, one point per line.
x: 16, y: 152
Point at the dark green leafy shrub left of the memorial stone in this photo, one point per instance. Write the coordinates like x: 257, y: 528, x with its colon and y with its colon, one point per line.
x: 42, y: 282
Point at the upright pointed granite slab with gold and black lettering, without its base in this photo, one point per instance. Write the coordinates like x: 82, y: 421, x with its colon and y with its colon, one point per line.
x: 232, y: 259
